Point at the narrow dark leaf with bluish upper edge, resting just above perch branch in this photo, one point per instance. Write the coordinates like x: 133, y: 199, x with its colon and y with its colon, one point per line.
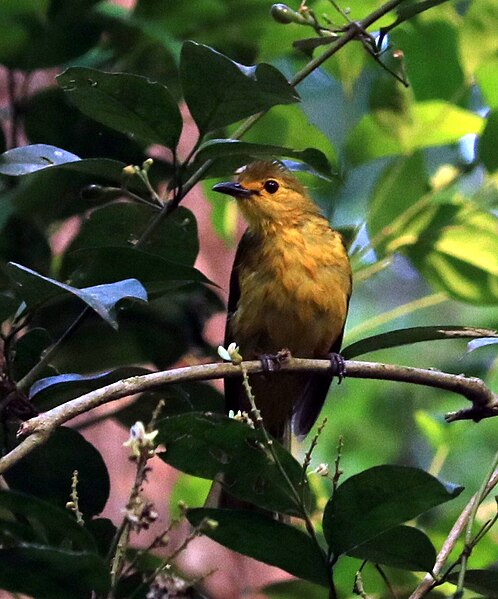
x: 52, y: 391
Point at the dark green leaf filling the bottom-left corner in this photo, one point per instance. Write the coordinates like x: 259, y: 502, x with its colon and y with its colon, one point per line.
x: 49, y: 573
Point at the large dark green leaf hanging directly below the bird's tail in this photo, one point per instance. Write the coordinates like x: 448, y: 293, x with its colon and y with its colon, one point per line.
x: 208, y: 445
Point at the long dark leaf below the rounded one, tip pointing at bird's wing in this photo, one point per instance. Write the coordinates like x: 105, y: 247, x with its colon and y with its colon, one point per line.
x: 96, y: 265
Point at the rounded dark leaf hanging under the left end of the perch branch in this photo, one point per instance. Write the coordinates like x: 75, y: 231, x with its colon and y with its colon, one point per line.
x: 47, y: 471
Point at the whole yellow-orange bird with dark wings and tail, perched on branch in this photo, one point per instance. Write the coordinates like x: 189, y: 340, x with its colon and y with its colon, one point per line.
x: 289, y: 290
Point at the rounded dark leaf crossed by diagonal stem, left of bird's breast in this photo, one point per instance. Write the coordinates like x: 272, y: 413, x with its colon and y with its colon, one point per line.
x: 120, y: 225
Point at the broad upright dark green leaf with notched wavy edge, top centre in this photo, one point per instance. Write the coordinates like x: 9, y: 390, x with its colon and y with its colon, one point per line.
x: 219, y: 91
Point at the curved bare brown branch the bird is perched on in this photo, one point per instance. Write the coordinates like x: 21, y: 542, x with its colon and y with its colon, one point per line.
x: 38, y: 429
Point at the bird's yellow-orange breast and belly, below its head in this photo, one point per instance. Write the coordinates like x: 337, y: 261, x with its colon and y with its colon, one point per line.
x: 294, y: 290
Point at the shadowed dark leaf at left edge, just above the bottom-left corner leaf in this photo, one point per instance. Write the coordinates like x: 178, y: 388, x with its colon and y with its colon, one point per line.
x: 52, y: 525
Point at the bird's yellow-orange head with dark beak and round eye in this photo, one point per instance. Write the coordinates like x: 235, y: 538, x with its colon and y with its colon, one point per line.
x: 268, y: 194
